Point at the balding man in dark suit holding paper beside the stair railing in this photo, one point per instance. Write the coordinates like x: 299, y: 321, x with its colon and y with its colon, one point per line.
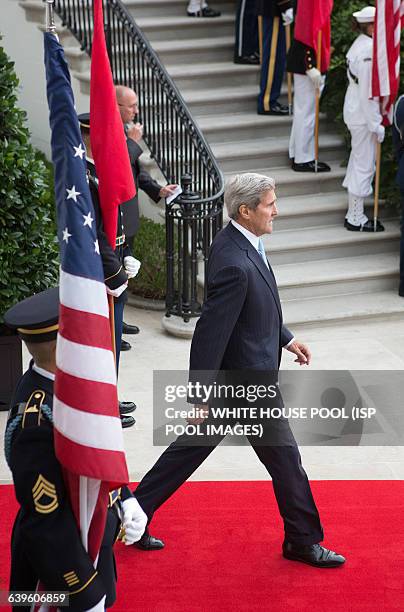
x: 128, y: 108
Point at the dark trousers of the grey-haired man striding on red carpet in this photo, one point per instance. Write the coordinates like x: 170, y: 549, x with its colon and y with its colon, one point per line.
x: 280, y: 455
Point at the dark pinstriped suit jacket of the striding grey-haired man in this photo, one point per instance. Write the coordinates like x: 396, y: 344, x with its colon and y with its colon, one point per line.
x: 241, y: 322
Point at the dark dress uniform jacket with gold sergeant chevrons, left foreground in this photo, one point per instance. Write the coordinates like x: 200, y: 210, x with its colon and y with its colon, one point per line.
x: 46, y: 545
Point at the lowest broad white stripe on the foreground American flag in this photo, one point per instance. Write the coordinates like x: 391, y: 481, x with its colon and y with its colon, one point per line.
x: 96, y: 431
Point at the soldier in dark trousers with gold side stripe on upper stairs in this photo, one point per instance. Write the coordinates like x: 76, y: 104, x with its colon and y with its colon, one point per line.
x: 276, y: 14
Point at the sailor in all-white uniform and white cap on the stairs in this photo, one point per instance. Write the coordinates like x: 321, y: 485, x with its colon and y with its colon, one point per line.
x: 363, y: 119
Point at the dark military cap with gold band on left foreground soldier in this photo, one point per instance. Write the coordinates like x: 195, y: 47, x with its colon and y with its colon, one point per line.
x: 36, y: 318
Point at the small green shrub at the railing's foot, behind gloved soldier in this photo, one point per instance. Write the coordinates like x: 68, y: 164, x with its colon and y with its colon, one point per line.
x: 150, y: 249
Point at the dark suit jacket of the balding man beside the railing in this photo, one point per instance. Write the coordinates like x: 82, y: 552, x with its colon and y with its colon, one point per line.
x: 144, y: 181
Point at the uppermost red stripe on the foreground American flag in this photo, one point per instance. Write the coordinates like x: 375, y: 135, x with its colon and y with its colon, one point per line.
x: 85, y: 328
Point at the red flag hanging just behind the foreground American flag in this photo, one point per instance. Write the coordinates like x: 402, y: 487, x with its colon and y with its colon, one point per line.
x: 108, y: 143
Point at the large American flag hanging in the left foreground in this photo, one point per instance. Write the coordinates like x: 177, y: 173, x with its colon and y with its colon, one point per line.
x: 87, y: 427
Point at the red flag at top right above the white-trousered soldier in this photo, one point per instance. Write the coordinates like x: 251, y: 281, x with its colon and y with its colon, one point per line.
x: 312, y: 17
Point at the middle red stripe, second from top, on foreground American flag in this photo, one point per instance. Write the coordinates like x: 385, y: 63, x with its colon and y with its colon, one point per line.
x: 94, y: 396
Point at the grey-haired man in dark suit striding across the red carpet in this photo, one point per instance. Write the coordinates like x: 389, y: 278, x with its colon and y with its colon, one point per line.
x: 241, y: 329
